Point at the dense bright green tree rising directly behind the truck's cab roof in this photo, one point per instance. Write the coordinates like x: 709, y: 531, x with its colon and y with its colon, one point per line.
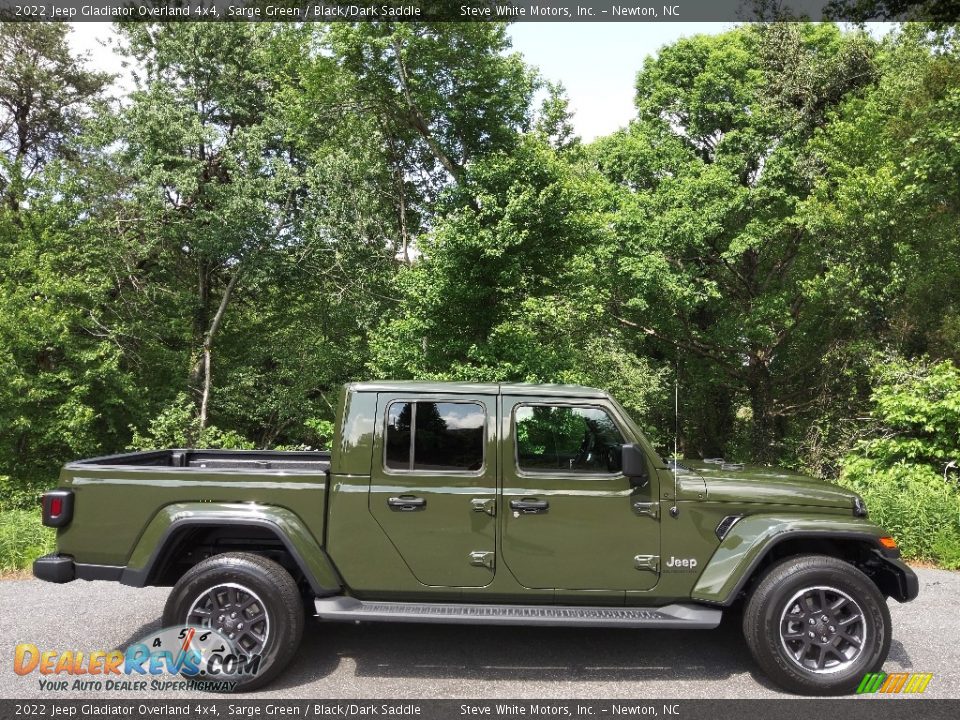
x: 511, y: 283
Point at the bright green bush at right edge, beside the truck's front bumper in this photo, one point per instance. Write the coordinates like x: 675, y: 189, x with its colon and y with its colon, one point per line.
x: 903, y: 471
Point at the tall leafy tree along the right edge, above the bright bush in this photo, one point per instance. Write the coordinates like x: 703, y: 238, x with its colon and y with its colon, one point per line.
x: 886, y: 207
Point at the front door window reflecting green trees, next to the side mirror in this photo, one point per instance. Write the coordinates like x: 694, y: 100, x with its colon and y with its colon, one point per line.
x: 573, y: 439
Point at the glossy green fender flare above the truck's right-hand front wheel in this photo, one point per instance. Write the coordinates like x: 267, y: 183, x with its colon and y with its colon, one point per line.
x: 750, y: 539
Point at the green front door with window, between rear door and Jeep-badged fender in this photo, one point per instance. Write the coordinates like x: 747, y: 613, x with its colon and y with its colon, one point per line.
x: 571, y: 519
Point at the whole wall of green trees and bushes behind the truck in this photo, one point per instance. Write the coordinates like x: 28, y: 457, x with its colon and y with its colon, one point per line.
x: 277, y: 209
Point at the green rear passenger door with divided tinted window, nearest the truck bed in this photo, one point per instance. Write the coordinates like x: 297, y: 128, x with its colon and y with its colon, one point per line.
x: 433, y: 485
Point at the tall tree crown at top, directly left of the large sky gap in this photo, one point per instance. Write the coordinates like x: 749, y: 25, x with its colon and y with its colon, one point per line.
x: 440, y: 96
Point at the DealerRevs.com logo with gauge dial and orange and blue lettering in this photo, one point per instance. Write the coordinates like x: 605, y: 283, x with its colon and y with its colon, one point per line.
x: 203, y: 658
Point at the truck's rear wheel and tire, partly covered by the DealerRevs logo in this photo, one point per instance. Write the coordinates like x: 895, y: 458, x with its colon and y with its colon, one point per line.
x: 272, y: 601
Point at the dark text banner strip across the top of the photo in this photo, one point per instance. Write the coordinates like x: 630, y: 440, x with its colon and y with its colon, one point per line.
x: 946, y: 11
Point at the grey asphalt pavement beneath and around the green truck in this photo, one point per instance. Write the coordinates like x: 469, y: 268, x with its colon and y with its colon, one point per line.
x: 443, y: 661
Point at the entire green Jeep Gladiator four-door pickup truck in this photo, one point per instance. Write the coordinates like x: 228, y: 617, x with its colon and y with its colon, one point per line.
x: 487, y: 503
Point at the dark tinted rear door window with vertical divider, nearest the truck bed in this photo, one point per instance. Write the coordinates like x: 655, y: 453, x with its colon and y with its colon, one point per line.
x: 439, y: 436
